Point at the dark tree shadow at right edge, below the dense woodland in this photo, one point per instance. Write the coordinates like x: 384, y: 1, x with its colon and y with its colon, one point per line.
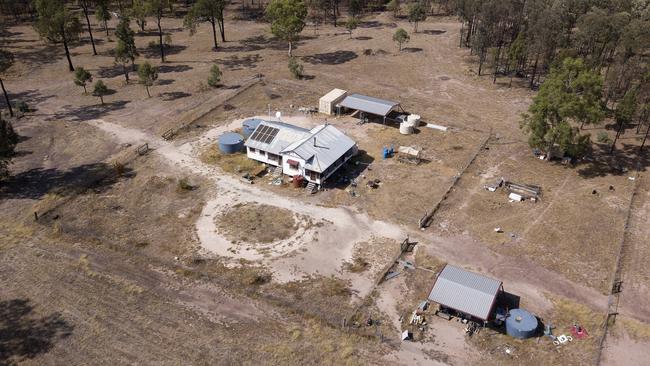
x: 623, y: 161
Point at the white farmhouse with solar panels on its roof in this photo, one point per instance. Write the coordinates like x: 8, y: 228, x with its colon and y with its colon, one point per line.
x: 312, y: 154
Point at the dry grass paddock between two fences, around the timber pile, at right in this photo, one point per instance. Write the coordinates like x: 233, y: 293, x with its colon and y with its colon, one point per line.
x: 558, y: 232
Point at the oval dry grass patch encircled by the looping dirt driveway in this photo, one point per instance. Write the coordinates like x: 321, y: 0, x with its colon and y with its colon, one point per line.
x: 255, y: 223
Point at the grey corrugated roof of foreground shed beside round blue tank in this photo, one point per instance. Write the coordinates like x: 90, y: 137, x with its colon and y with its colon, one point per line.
x: 465, y: 291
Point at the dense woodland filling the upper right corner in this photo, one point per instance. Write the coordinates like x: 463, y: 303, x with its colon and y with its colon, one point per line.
x: 576, y: 50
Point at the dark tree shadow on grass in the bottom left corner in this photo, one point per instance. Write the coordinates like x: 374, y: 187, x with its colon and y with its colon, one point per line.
x: 24, y: 336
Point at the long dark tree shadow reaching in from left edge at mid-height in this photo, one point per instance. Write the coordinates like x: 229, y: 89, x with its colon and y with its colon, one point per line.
x: 35, y: 183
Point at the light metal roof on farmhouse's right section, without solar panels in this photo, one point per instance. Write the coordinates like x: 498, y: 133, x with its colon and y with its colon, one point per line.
x: 322, y: 148
